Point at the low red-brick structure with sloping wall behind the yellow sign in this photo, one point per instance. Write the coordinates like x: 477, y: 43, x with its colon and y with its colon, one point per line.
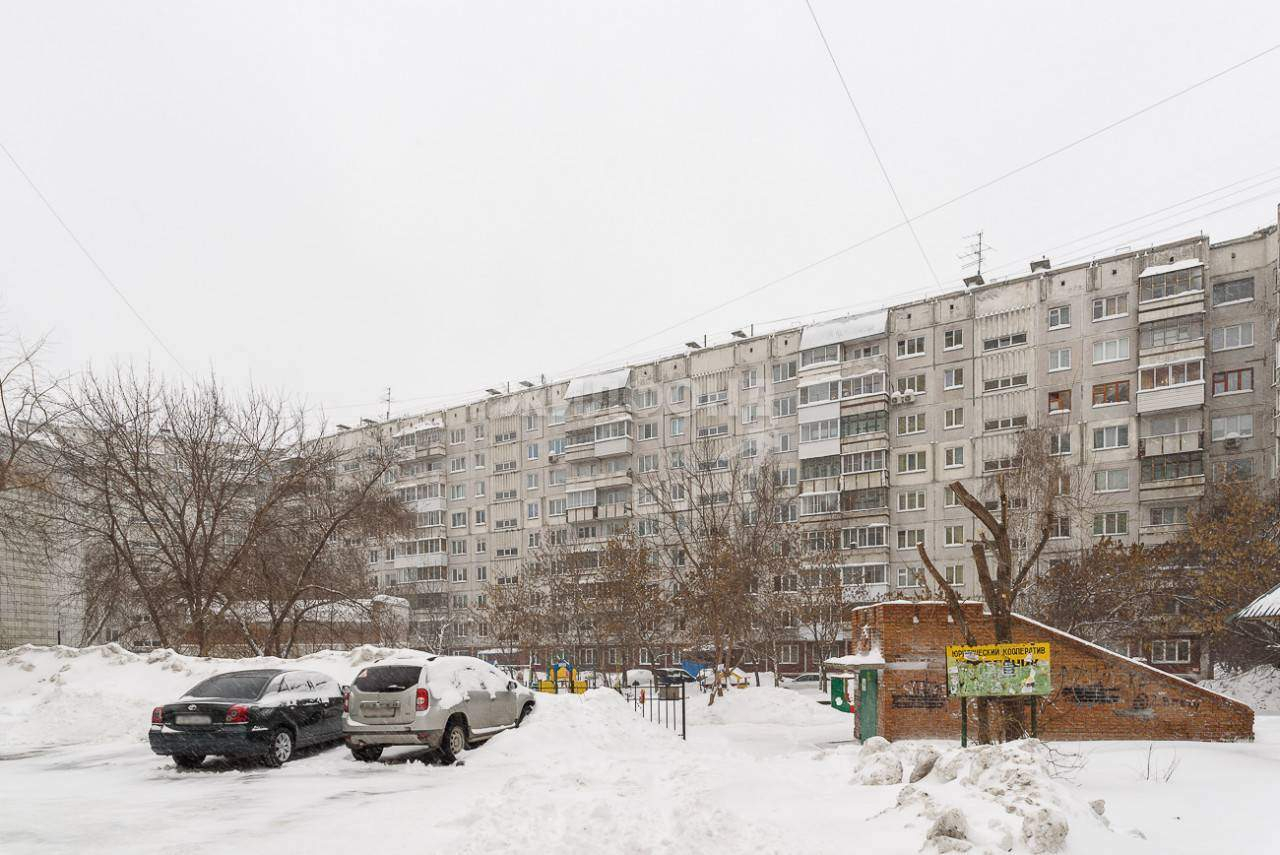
x: 1098, y: 694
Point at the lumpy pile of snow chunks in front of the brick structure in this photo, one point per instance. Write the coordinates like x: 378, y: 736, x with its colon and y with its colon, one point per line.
x: 1000, y: 798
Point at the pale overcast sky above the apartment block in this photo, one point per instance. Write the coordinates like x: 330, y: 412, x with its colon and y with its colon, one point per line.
x: 331, y: 199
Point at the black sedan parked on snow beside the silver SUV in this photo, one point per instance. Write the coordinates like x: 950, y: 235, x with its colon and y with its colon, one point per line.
x: 264, y: 715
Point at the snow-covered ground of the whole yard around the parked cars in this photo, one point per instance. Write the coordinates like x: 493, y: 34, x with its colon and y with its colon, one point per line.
x: 765, y: 771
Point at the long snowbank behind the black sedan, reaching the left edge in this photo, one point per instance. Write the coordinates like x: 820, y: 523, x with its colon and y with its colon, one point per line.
x: 62, y: 696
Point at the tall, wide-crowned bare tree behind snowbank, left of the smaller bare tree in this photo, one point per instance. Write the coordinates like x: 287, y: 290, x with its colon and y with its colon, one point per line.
x: 170, y: 491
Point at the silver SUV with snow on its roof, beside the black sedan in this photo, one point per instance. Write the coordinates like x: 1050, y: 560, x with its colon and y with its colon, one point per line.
x: 445, y: 703
